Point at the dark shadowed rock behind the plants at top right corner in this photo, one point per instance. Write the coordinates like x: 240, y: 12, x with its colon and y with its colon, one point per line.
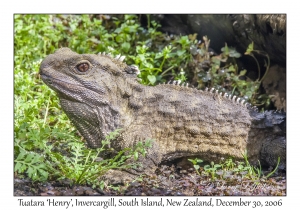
x: 268, y: 31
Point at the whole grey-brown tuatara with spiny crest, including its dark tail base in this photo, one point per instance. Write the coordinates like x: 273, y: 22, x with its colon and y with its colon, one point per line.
x: 100, y: 94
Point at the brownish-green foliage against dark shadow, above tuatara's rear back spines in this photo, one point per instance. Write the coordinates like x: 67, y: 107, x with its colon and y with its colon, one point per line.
x: 222, y: 72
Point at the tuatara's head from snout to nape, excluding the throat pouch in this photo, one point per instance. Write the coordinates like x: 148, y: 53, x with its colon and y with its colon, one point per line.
x: 86, y: 78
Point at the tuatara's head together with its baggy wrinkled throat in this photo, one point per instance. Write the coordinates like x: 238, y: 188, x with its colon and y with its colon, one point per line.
x: 90, y: 88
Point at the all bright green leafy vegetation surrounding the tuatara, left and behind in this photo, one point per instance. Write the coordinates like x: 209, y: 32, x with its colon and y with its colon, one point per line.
x: 40, y: 127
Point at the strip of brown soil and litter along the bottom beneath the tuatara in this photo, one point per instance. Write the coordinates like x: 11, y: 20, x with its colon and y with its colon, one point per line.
x: 167, y: 181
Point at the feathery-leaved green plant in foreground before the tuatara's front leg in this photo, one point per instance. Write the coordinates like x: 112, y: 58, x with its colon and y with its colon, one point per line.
x: 81, y: 165
